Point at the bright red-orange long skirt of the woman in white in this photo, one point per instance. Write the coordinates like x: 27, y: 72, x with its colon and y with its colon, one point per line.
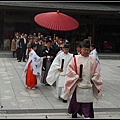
x: 31, y: 79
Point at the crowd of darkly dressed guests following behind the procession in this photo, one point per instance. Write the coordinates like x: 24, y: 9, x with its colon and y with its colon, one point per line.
x: 20, y: 44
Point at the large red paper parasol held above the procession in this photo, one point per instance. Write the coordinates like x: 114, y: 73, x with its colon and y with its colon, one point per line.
x: 56, y: 21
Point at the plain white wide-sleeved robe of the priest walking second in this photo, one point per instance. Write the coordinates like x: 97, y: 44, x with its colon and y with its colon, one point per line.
x: 54, y: 74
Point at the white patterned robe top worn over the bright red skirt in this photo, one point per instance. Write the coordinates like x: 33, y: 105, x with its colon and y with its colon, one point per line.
x: 36, y: 64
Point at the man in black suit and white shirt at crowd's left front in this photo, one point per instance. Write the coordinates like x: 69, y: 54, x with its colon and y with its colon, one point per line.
x: 23, y: 46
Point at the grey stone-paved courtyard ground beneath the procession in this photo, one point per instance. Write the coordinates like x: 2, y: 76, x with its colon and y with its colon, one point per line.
x: 19, y: 102
